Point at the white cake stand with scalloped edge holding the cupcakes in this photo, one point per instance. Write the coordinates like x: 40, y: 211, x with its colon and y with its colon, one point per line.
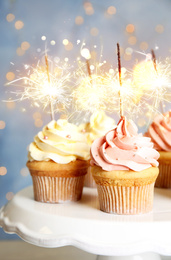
x: 83, y: 225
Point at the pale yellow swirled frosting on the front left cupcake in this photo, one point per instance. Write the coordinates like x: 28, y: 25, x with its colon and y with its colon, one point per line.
x: 60, y: 142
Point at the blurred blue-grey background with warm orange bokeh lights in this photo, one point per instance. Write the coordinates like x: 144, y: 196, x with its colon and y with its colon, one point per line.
x: 63, y: 26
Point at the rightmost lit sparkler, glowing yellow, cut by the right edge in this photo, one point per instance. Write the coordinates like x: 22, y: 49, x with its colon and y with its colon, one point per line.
x: 152, y: 81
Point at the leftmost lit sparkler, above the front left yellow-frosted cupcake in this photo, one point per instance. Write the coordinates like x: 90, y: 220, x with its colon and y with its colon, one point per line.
x: 45, y: 86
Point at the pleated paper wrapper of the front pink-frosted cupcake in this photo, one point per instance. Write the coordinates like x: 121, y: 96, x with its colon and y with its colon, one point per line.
x: 126, y: 200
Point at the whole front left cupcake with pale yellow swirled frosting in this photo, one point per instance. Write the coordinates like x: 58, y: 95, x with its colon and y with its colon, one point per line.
x: 58, y: 160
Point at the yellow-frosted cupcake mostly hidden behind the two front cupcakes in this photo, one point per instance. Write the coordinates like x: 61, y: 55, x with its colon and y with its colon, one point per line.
x: 99, y: 124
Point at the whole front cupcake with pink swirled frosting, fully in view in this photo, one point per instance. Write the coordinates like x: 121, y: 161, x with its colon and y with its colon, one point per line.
x: 124, y: 167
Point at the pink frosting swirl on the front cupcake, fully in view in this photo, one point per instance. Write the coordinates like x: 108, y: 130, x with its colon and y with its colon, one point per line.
x: 124, y: 149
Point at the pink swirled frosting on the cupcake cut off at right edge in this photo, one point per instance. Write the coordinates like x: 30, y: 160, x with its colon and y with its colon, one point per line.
x: 160, y: 132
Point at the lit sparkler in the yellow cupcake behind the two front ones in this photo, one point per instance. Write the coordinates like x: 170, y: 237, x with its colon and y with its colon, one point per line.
x: 91, y: 92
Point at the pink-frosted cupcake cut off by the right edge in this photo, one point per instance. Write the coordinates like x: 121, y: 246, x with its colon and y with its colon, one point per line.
x: 160, y: 134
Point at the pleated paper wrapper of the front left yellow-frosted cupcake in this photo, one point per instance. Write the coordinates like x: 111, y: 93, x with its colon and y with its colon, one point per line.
x: 57, y: 189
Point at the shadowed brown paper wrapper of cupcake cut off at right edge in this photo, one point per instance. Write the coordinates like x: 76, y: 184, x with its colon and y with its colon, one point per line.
x: 164, y: 177
